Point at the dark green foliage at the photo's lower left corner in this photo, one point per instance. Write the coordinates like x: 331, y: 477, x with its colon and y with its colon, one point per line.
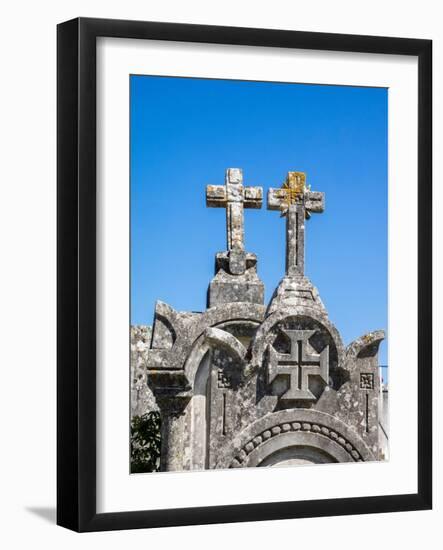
x: 145, y: 443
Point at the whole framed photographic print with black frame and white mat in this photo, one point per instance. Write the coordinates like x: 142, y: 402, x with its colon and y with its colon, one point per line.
x: 244, y: 274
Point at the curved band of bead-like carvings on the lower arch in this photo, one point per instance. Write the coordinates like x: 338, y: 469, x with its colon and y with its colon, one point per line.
x: 286, y: 427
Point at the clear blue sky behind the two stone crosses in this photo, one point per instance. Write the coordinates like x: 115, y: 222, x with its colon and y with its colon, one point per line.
x: 184, y: 134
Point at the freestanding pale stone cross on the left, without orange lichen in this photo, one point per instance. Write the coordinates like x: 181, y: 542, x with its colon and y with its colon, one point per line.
x: 234, y: 197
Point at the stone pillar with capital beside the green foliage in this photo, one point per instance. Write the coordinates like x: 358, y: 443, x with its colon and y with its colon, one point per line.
x: 172, y: 410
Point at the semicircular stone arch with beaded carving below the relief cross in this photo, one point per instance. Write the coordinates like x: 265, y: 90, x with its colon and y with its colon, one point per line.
x: 296, y: 429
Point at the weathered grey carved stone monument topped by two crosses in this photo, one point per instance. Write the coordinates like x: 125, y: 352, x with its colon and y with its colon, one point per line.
x: 242, y: 384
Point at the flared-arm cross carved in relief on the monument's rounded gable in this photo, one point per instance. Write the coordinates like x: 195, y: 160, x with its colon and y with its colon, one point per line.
x: 299, y: 365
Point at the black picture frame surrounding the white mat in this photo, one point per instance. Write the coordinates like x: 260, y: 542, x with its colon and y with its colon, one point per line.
x: 76, y: 278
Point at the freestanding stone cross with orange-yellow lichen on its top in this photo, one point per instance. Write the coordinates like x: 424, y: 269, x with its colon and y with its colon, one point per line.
x: 295, y: 201
